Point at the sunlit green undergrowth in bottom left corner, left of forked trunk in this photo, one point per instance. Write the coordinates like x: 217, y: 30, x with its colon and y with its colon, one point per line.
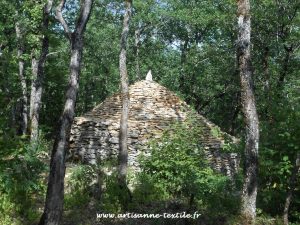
x: 21, y: 181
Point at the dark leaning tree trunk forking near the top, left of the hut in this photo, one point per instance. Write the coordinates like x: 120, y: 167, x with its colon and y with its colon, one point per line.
x: 55, y: 192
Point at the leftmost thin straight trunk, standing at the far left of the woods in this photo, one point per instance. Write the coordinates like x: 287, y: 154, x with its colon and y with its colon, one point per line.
x: 24, y: 99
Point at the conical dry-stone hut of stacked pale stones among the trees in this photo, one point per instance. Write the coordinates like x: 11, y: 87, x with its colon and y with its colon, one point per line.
x: 95, y: 135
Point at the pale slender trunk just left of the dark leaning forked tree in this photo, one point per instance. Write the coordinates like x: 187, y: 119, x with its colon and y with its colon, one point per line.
x: 37, y: 66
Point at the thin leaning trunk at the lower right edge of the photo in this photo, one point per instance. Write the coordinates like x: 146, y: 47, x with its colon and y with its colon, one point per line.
x: 292, y: 184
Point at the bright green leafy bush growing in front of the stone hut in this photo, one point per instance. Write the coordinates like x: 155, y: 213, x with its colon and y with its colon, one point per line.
x: 177, y: 168
